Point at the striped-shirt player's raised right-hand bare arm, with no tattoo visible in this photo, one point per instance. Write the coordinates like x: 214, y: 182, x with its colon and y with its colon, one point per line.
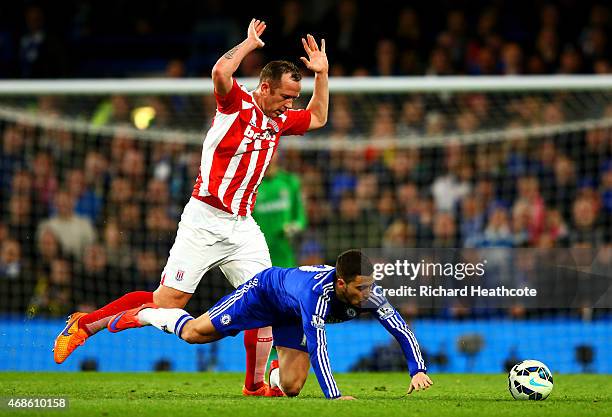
x: 317, y: 62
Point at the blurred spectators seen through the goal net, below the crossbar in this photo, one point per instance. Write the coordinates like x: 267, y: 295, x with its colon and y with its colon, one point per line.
x: 78, y: 208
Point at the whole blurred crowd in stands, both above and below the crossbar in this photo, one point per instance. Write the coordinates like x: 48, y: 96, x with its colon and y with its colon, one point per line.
x: 87, y: 217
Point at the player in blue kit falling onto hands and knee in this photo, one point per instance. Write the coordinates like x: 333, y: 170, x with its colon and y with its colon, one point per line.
x: 297, y: 303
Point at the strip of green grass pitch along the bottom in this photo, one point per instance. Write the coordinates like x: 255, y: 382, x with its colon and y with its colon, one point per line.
x: 218, y: 394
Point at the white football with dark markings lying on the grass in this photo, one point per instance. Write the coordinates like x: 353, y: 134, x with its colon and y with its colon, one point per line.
x: 530, y: 380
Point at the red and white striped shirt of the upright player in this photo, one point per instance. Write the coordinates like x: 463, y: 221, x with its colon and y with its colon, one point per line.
x: 238, y: 149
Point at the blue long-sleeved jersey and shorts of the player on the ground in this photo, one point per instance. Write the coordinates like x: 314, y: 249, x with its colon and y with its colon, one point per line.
x: 305, y: 296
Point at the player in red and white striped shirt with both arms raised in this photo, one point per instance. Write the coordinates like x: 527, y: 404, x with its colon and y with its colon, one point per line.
x: 216, y: 227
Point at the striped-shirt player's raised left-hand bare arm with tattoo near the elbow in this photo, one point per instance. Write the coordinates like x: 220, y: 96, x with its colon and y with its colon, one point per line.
x: 228, y: 64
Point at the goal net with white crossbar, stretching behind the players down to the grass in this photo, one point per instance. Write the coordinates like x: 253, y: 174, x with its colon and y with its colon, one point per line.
x: 517, y: 168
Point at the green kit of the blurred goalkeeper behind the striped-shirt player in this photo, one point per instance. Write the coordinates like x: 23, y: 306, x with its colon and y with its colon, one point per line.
x: 280, y: 213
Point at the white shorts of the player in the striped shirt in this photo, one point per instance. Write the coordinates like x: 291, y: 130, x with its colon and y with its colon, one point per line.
x: 208, y: 237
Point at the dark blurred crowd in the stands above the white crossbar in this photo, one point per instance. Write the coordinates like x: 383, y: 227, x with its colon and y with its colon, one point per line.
x: 75, y: 39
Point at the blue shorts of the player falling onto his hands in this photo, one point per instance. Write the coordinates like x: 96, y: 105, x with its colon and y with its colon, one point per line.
x: 246, y: 308
